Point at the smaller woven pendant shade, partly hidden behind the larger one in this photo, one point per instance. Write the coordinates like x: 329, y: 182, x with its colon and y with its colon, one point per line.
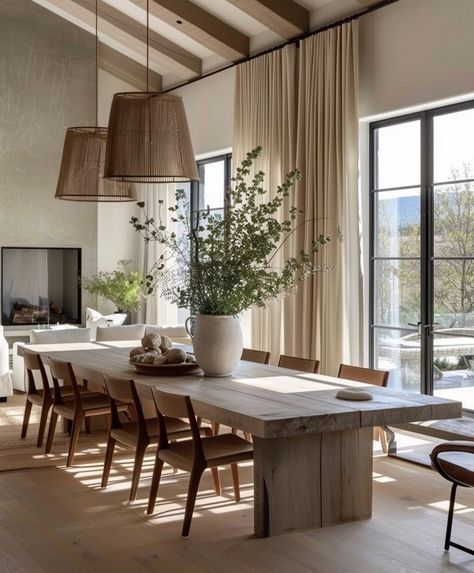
x: 82, y: 169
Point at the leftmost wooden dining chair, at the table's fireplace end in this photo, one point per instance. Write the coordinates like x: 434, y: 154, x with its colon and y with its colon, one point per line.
x: 41, y: 397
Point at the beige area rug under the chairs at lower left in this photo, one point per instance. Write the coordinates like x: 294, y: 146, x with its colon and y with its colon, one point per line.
x: 16, y: 453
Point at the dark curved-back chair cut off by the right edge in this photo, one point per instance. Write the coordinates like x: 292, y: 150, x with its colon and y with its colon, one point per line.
x: 455, y: 462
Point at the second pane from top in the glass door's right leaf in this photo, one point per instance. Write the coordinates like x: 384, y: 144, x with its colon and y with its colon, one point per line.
x: 454, y: 220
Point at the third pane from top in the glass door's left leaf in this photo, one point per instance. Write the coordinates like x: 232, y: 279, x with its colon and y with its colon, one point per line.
x: 397, y: 292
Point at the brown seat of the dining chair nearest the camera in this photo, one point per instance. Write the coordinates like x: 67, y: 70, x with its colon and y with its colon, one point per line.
x: 218, y: 450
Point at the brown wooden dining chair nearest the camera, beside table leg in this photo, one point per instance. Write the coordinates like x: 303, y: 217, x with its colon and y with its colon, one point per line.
x: 194, y: 455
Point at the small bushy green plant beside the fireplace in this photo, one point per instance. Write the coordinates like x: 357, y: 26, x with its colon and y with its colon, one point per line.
x: 124, y: 287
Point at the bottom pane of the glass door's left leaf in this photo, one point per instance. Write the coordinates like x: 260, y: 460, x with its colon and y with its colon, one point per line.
x: 399, y: 353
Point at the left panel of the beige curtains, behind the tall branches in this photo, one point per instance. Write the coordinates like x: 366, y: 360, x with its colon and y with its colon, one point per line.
x: 265, y: 115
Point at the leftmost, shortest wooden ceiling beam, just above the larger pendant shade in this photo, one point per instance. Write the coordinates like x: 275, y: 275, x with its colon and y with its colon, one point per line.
x: 127, y: 69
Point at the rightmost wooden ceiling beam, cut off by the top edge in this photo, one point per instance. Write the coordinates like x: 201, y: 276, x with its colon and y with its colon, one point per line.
x: 285, y: 17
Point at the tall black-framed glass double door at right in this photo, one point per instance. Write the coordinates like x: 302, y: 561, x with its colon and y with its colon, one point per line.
x: 422, y: 251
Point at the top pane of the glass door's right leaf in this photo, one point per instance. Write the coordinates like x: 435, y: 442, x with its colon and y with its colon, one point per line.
x: 453, y: 144
